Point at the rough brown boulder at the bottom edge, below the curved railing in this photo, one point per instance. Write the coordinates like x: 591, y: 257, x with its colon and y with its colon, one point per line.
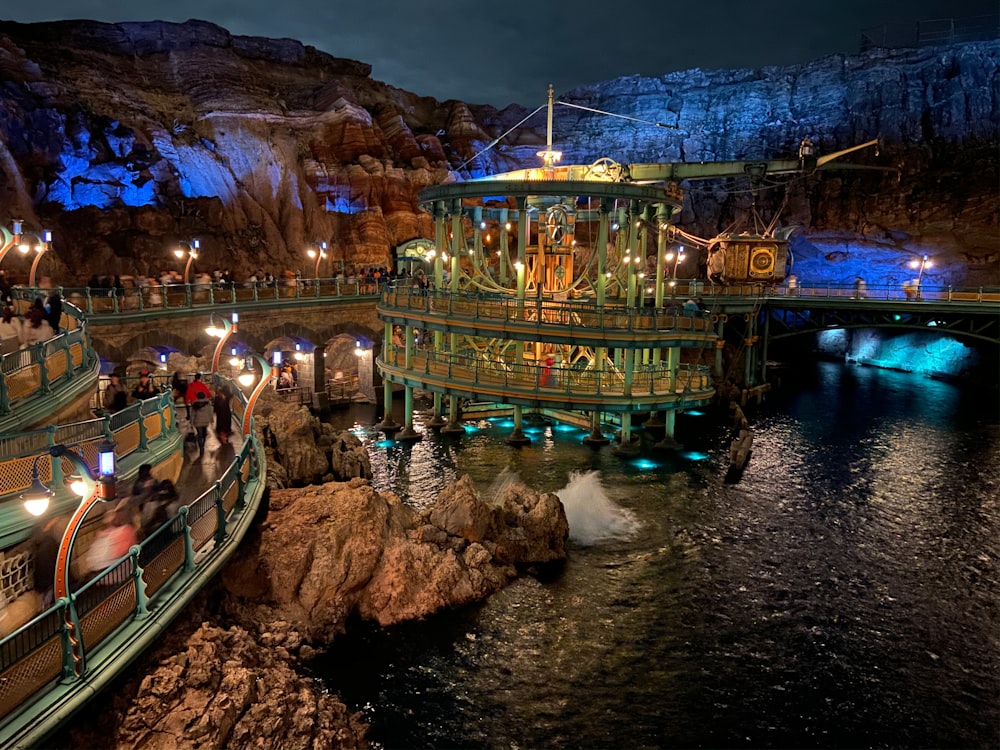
x: 223, y: 687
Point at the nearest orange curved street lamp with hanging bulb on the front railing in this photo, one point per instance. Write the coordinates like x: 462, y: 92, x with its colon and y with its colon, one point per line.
x: 92, y: 489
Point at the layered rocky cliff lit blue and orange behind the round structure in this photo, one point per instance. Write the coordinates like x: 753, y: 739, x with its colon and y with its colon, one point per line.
x: 125, y: 138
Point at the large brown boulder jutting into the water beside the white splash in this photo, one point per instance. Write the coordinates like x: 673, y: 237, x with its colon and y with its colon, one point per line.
x: 328, y: 552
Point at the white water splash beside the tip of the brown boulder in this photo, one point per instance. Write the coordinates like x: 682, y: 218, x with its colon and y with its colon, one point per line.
x: 592, y: 515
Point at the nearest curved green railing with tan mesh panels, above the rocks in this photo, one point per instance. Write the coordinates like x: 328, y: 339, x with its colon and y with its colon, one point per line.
x: 120, y: 612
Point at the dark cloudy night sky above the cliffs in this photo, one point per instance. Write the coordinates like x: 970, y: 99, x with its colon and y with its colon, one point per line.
x: 502, y: 53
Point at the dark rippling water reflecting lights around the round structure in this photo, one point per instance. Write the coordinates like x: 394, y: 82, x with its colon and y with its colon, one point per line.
x: 842, y: 594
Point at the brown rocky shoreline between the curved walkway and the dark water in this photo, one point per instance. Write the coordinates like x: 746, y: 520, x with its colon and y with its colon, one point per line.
x: 229, y: 672
